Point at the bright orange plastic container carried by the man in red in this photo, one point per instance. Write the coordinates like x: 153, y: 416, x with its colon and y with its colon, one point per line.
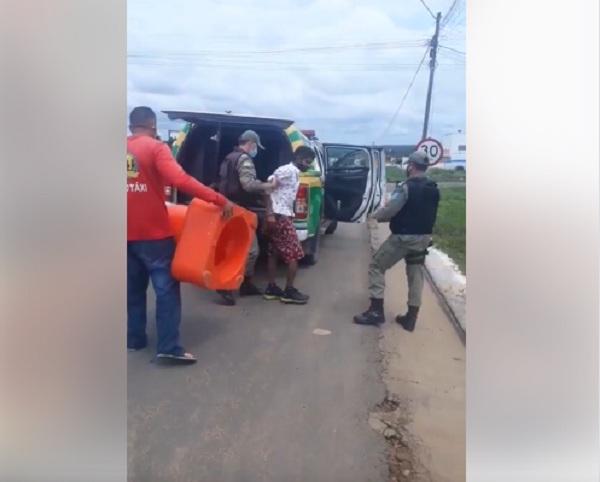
x: 211, y: 252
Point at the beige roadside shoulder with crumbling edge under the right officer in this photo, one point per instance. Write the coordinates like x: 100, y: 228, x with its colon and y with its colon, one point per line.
x: 423, y: 415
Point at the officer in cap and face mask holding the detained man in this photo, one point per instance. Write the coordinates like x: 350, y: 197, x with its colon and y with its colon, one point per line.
x: 238, y: 182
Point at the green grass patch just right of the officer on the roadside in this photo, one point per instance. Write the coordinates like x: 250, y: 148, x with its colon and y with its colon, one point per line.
x: 449, y: 233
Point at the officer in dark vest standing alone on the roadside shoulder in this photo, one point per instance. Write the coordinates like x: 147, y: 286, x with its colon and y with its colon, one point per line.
x: 411, y: 212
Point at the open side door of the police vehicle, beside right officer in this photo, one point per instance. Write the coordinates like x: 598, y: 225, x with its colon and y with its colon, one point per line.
x: 354, y: 181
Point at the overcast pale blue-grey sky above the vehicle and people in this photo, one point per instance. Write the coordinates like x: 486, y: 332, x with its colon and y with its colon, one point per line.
x: 309, y: 61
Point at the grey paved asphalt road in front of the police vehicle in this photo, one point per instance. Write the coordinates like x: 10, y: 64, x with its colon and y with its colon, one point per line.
x: 268, y: 400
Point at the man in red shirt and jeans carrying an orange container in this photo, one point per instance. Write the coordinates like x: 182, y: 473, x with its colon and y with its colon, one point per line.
x: 150, y: 244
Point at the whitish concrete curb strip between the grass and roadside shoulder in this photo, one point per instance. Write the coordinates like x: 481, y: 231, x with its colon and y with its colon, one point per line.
x: 450, y: 285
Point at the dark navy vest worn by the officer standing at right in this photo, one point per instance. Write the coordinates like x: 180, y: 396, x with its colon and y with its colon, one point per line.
x: 418, y: 215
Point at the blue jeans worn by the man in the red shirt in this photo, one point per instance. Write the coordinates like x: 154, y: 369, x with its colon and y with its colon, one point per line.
x: 151, y: 260
